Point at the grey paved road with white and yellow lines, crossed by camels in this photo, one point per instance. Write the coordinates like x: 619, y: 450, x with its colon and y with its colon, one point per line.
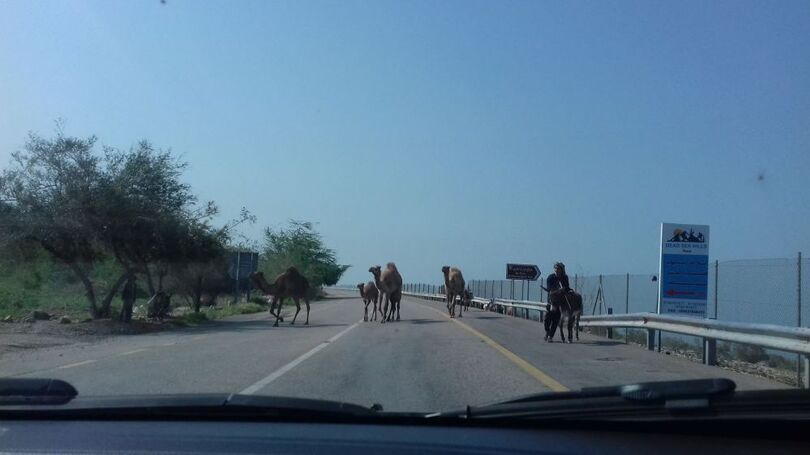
x: 423, y: 362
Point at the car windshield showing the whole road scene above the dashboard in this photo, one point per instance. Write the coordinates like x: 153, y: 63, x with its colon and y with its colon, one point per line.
x: 421, y: 205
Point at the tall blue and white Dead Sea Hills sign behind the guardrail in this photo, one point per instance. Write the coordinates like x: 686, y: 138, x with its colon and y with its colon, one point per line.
x: 684, y: 270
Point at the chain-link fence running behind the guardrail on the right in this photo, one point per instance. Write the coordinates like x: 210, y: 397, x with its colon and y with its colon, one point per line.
x: 767, y: 291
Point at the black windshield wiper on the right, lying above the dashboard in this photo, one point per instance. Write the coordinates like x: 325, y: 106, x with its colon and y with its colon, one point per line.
x: 669, y: 396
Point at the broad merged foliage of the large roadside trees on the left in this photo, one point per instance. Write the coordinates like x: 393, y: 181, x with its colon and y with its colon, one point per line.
x: 87, y: 208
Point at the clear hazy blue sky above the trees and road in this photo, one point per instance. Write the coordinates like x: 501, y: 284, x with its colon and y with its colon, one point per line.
x: 468, y: 133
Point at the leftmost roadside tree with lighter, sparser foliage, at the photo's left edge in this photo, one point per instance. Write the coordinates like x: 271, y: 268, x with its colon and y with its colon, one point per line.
x: 50, y: 193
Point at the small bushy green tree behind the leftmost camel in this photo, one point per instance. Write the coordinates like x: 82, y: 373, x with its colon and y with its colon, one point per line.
x: 301, y: 246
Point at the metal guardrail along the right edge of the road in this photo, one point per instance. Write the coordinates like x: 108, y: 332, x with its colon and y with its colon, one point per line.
x: 788, y: 339
